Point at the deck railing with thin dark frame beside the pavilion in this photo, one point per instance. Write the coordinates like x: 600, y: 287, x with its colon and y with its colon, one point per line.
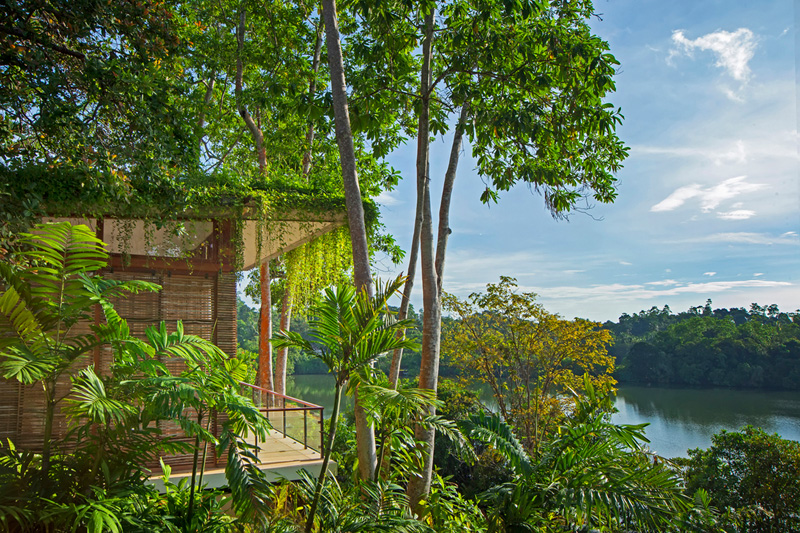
x: 290, y: 416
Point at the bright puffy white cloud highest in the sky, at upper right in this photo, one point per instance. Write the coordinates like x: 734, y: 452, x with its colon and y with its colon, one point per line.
x: 733, y: 50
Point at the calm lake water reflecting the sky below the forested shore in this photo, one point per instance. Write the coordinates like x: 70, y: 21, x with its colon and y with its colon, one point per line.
x: 679, y: 418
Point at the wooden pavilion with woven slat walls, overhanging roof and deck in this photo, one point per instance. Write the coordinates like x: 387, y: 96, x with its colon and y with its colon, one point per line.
x: 197, y: 273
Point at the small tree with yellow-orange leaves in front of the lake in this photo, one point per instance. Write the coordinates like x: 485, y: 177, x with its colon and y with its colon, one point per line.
x: 528, y: 356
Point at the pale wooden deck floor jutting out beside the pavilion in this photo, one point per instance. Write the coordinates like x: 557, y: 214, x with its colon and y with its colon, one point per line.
x: 279, y: 458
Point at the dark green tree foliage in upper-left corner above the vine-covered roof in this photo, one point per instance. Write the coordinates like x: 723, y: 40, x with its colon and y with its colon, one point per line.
x: 90, y: 89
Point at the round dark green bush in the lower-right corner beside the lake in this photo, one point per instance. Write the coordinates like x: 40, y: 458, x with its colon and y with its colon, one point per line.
x: 752, y: 473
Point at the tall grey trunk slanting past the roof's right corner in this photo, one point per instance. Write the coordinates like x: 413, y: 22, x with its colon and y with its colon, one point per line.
x: 365, y: 433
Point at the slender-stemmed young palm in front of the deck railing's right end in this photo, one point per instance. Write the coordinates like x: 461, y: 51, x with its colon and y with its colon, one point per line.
x: 348, y: 330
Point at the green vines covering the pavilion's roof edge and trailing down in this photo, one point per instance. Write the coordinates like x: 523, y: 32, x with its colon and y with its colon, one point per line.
x: 175, y: 205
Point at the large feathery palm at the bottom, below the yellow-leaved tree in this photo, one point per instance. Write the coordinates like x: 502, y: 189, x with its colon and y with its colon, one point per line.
x: 593, y: 474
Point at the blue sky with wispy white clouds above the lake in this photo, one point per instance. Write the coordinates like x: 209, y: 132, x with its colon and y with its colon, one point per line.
x: 708, y: 201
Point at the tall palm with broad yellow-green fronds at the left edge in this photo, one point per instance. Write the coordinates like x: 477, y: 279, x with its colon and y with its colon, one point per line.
x: 43, y: 304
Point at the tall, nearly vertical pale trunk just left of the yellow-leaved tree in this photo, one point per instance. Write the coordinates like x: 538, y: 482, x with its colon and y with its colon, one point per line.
x: 419, y: 486
